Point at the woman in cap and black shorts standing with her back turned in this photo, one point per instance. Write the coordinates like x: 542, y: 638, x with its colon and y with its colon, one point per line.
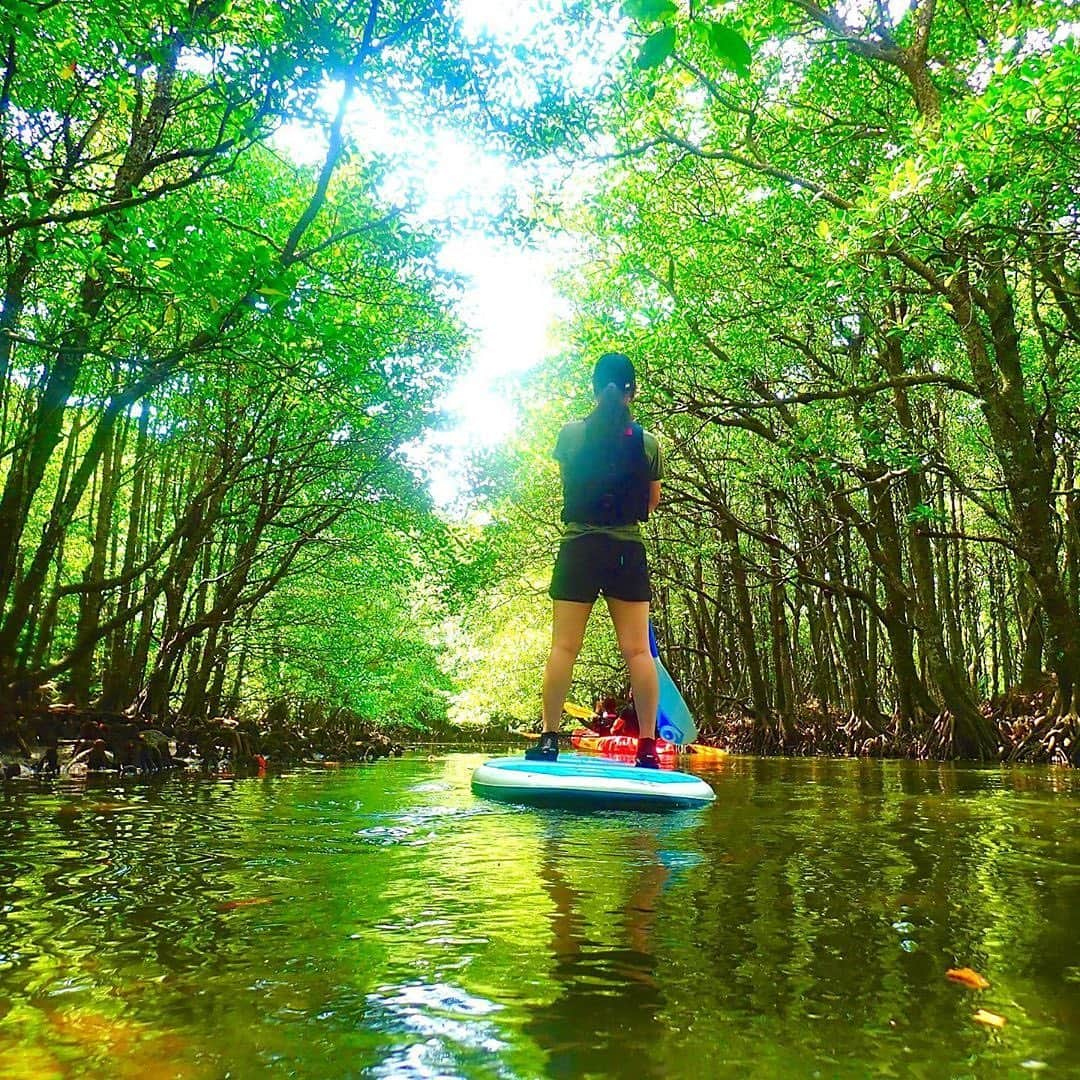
x: 612, y: 470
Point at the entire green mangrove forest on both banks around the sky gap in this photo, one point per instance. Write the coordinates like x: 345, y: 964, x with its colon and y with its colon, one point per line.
x: 840, y: 240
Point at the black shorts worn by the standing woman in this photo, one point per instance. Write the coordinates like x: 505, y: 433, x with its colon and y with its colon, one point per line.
x: 597, y: 563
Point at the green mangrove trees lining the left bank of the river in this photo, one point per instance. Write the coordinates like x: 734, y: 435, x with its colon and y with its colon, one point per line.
x: 213, y: 360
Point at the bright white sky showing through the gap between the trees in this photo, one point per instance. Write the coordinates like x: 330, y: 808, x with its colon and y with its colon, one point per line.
x: 510, y: 304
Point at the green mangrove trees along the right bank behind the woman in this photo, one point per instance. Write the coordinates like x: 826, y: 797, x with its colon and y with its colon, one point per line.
x: 845, y: 250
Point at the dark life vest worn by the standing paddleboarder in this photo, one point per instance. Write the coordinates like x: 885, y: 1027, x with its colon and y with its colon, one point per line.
x: 606, y: 479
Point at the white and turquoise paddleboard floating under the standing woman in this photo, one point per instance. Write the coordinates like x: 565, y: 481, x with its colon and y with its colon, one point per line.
x: 588, y: 784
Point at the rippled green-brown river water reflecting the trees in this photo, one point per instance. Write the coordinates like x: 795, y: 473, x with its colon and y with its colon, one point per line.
x: 383, y: 922
